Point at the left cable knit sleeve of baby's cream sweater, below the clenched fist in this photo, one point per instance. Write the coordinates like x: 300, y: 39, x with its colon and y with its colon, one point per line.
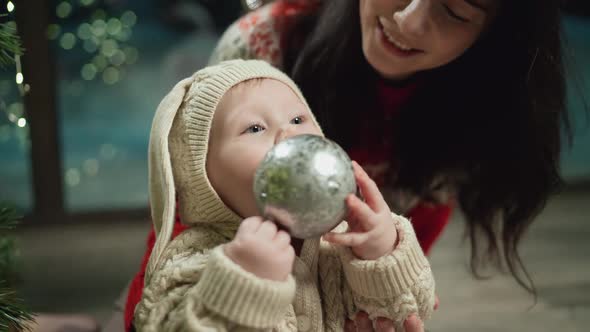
x: 206, y: 291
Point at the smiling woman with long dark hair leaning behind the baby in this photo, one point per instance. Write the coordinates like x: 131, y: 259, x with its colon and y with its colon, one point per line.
x: 450, y: 102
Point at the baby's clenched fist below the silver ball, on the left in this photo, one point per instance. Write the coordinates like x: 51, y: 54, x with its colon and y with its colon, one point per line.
x: 260, y: 248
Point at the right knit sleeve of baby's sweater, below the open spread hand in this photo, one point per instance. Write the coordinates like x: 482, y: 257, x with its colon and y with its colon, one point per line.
x: 393, y: 286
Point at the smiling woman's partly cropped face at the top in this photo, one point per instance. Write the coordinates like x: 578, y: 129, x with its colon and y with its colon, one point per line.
x: 403, y: 37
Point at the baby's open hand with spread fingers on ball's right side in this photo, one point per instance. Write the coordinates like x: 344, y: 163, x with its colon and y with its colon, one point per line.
x: 371, y: 230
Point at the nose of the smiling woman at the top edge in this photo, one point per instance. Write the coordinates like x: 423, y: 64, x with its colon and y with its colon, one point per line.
x: 414, y: 18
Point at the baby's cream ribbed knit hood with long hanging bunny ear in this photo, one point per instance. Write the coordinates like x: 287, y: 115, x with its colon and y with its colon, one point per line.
x: 178, y: 149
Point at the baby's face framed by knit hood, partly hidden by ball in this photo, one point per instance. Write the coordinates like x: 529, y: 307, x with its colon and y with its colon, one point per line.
x: 250, y: 119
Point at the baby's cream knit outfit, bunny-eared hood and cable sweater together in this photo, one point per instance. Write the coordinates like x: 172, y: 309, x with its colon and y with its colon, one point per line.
x: 191, y: 285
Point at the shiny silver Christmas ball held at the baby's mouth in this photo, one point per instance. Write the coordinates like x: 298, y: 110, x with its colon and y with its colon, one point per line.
x: 302, y: 183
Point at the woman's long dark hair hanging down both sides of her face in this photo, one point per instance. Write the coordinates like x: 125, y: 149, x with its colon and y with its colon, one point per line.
x: 493, y: 116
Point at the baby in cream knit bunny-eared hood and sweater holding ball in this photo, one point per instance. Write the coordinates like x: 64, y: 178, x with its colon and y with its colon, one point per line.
x: 231, y: 269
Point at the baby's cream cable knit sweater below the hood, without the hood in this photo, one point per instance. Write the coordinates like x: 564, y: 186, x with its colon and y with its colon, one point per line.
x: 197, y: 288
